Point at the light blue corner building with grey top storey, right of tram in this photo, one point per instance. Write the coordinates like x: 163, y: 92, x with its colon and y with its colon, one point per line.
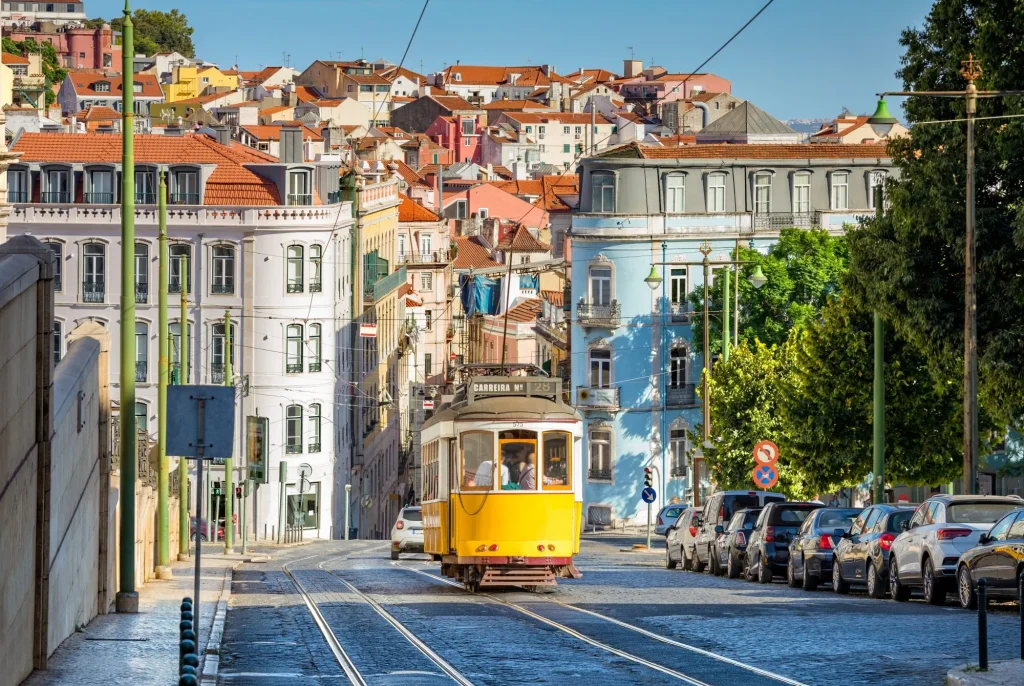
x: 634, y: 372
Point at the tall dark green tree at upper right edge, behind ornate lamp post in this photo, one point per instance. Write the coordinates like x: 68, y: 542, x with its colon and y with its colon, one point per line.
x: 910, y: 266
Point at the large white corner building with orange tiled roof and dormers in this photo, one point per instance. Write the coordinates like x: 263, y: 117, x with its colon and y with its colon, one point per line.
x: 266, y: 241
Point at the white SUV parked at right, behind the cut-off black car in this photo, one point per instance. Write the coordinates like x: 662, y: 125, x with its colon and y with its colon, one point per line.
x: 942, y: 530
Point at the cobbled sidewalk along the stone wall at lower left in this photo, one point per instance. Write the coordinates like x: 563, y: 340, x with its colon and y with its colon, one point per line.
x: 144, y: 649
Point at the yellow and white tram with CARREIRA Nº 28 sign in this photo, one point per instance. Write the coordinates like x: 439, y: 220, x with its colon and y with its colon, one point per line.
x: 502, y: 484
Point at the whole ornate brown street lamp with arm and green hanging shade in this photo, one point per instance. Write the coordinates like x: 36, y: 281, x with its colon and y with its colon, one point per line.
x: 970, y: 70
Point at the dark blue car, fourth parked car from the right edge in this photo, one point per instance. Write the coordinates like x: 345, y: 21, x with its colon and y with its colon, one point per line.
x: 812, y: 550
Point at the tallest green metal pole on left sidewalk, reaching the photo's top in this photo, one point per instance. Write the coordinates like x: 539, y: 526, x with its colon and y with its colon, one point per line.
x: 127, y: 597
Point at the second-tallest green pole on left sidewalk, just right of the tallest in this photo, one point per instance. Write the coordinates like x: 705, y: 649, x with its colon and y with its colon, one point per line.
x: 163, y: 501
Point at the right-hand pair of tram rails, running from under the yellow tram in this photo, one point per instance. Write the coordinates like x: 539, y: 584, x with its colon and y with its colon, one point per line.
x: 622, y: 625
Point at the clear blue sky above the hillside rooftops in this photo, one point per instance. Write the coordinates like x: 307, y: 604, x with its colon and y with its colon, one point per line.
x: 801, y: 59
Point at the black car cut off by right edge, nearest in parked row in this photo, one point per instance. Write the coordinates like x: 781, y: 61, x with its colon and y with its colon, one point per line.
x: 999, y: 559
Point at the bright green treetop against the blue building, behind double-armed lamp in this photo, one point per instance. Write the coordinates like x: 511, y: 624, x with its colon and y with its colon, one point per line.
x: 803, y: 269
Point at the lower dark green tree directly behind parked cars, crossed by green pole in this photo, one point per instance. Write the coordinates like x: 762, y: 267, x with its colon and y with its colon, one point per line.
x: 828, y: 401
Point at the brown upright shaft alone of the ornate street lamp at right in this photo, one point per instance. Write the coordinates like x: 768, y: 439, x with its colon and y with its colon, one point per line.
x: 970, y: 313
